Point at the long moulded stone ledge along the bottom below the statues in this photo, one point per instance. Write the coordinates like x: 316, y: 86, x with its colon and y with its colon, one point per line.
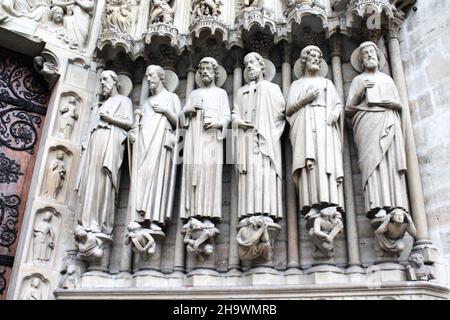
x: 392, y: 290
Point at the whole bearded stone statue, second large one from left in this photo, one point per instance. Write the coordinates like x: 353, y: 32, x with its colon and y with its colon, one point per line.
x: 155, y: 151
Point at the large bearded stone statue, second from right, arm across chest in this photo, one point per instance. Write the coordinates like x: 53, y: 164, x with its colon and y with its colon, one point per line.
x: 313, y: 110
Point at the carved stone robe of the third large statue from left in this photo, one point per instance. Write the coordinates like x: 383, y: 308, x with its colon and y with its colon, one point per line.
x: 201, y: 186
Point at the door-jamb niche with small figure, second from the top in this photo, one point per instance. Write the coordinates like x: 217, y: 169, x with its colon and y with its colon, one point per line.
x: 56, y: 180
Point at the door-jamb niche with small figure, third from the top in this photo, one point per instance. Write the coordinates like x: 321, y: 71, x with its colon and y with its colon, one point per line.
x: 44, y: 239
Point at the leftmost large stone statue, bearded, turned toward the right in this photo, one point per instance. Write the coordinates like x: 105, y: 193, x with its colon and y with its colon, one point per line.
x: 98, y: 180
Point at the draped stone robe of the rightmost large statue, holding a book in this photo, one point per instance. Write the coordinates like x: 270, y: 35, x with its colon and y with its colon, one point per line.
x: 381, y: 148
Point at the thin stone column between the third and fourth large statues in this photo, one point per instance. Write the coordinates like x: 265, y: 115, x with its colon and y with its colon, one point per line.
x: 233, y: 258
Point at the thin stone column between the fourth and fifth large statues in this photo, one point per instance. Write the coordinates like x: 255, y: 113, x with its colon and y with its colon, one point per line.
x: 293, y: 258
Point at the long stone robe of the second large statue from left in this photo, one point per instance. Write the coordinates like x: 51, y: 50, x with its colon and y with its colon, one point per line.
x: 156, y: 146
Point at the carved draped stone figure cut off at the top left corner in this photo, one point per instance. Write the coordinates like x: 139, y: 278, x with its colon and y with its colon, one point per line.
x: 36, y: 10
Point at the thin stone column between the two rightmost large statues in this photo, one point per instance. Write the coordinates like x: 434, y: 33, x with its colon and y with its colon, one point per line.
x: 350, y: 213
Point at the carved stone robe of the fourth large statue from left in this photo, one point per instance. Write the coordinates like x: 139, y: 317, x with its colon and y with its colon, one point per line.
x: 257, y: 151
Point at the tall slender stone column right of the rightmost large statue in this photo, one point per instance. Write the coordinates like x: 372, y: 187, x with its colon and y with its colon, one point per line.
x: 416, y: 197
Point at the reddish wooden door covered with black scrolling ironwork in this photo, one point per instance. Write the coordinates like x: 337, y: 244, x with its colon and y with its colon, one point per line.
x: 24, y: 97
